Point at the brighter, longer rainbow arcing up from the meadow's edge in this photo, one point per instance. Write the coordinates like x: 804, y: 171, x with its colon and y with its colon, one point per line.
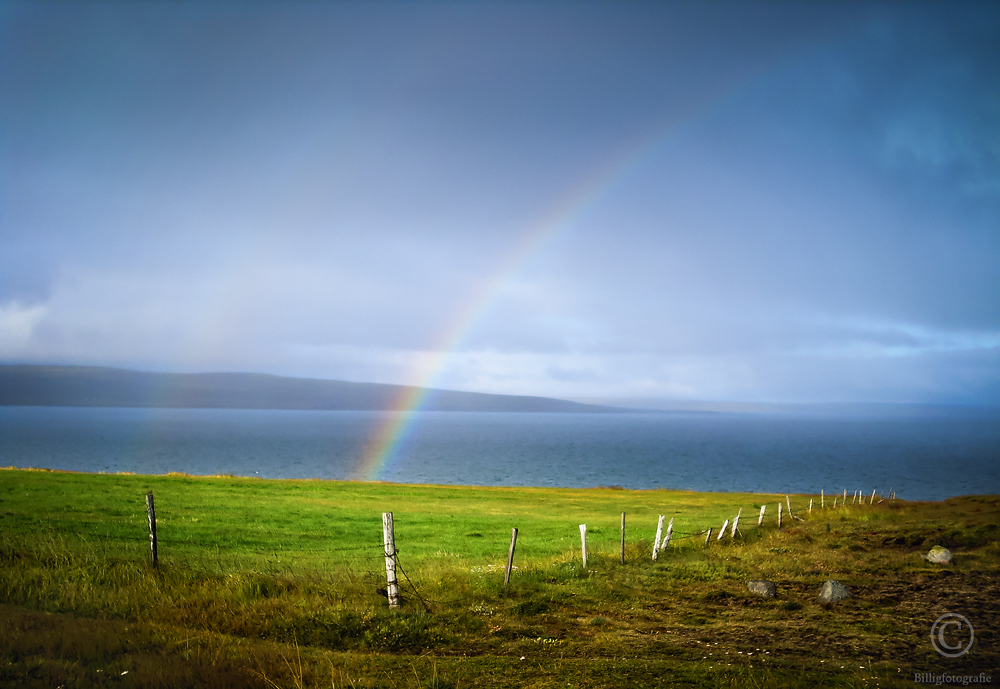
x: 399, y: 420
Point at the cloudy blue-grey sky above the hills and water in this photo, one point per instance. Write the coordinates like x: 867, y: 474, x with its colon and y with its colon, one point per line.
x: 759, y: 202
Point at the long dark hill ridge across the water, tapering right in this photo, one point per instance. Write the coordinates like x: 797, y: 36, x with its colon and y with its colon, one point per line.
x: 82, y: 386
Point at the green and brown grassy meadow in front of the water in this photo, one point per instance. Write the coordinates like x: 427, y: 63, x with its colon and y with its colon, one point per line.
x: 280, y: 584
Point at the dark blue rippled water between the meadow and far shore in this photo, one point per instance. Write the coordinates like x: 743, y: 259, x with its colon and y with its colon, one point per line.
x: 925, y: 457
